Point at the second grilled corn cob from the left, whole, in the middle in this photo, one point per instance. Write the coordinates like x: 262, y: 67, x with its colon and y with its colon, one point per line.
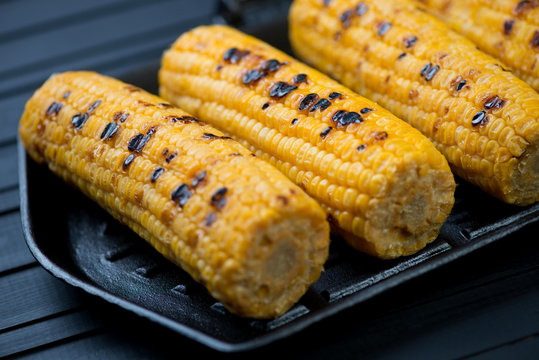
x: 384, y: 186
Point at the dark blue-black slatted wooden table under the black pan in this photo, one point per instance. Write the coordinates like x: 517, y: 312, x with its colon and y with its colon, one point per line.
x: 482, y: 306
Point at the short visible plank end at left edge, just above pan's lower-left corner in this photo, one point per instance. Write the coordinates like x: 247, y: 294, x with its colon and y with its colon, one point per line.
x: 13, y: 250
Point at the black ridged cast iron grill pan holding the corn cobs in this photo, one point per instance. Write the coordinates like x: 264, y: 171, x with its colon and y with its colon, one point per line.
x: 77, y: 241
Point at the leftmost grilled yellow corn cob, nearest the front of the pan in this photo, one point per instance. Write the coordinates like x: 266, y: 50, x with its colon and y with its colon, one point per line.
x: 232, y: 221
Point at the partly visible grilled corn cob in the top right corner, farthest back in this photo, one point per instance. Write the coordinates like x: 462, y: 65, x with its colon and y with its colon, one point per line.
x: 505, y: 29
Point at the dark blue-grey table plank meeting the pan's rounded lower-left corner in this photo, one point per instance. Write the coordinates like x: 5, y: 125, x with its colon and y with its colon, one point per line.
x: 31, y: 294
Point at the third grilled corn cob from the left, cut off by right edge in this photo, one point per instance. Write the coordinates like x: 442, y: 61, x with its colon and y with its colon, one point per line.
x: 482, y: 118
